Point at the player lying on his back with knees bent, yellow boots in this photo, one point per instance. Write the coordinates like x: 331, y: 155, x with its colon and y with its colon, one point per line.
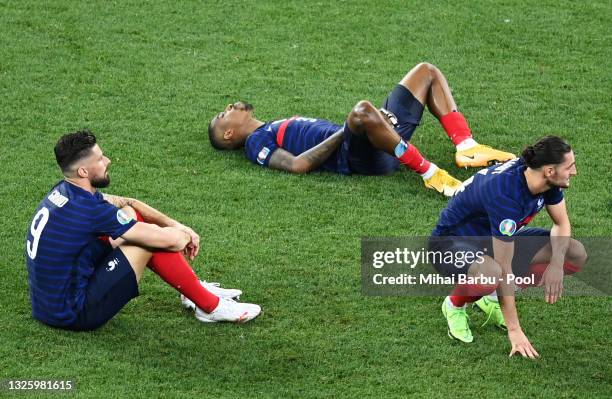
x: 372, y: 141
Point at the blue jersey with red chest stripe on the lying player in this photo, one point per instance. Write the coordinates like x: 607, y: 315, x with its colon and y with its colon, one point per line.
x: 300, y: 135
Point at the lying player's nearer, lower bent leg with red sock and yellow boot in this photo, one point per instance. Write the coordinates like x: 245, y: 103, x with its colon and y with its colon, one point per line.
x: 365, y: 119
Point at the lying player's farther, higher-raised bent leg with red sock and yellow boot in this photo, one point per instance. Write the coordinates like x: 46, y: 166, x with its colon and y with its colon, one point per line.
x: 427, y: 83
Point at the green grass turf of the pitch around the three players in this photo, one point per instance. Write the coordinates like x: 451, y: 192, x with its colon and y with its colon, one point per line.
x: 147, y: 77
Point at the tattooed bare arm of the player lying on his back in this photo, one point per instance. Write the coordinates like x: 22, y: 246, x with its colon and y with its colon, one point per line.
x: 309, y: 160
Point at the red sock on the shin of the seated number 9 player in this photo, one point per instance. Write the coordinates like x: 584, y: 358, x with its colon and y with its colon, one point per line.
x: 174, y: 269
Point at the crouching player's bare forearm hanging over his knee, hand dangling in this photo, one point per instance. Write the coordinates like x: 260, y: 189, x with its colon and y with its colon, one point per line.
x: 552, y: 280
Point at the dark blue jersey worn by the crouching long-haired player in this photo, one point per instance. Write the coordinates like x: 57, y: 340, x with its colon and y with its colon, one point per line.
x: 494, y: 202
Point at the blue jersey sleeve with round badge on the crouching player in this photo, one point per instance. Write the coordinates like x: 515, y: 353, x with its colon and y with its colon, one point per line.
x: 504, y: 215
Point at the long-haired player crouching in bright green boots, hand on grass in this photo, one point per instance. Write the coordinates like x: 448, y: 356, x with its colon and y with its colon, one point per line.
x: 490, y: 212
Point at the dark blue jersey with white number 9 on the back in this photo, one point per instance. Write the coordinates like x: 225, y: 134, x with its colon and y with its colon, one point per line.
x: 59, y: 264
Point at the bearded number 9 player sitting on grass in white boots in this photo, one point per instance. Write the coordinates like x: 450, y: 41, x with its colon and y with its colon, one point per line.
x: 86, y: 251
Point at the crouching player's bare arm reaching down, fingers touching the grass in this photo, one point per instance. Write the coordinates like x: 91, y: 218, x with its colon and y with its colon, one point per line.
x: 504, y: 252
